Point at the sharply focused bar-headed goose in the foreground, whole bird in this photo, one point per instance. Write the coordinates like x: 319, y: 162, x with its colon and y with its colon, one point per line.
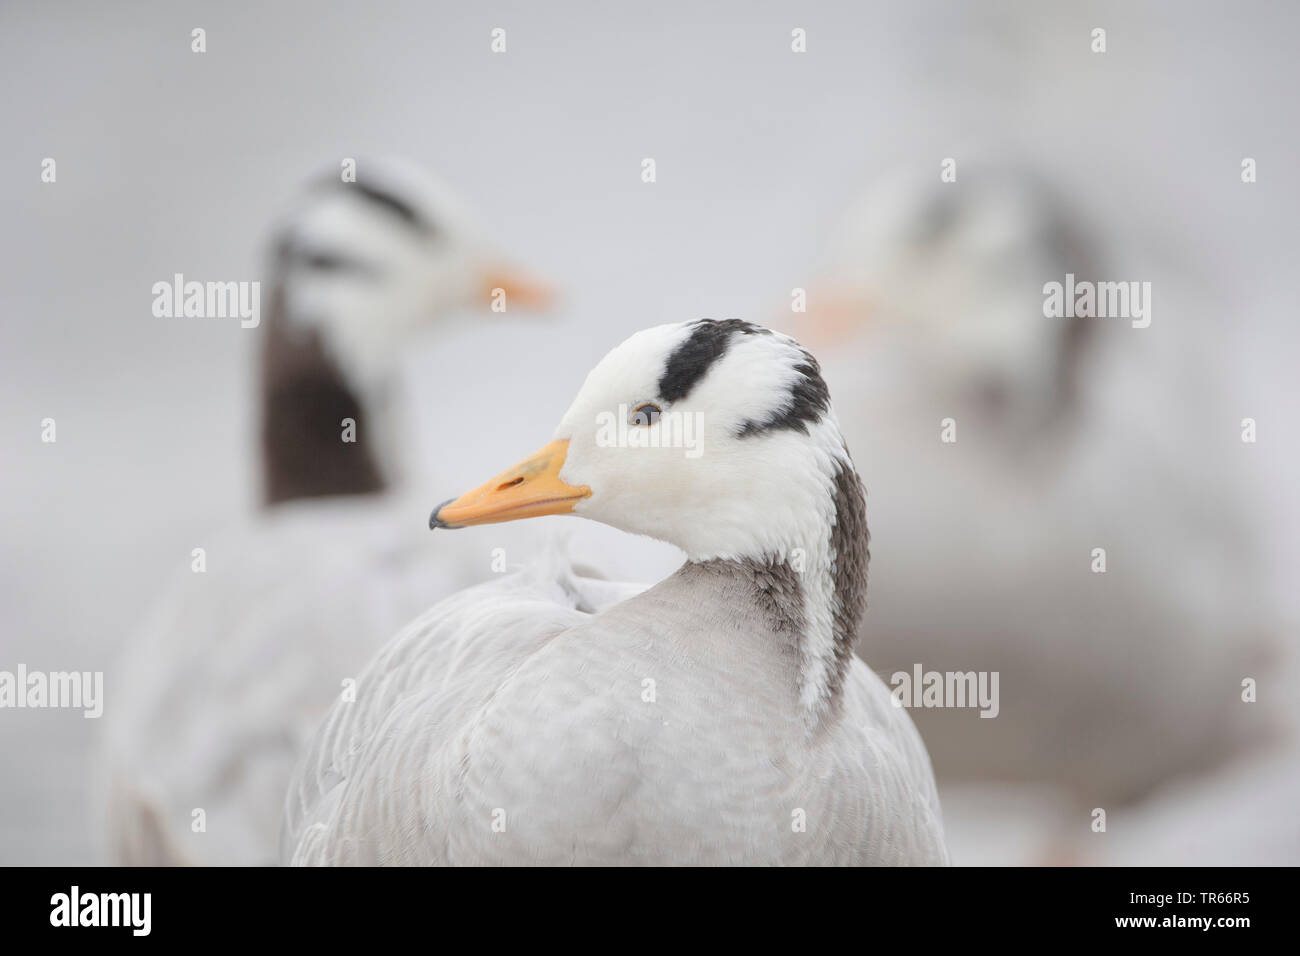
x: 720, y: 717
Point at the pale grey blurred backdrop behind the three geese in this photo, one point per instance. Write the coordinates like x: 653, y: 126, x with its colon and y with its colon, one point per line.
x: 172, y: 162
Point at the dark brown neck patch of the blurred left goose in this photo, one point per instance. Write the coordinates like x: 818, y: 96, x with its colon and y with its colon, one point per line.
x: 305, y: 400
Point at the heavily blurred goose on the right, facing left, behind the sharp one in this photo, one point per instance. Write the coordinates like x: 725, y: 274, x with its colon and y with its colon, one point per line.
x: 1071, y: 436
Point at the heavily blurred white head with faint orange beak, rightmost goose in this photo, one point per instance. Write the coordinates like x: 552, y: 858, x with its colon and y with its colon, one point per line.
x: 948, y: 278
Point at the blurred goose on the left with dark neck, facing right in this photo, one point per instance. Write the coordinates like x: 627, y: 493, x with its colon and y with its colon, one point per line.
x: 219, y: 691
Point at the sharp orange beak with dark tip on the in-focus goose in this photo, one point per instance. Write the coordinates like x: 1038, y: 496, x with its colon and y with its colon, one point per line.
x: 531, y: 490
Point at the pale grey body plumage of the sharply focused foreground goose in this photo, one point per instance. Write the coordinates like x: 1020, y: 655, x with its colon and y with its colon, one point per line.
x: 506, y: 704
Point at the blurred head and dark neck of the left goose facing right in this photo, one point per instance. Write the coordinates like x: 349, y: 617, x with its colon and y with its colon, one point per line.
x: 361, y: 270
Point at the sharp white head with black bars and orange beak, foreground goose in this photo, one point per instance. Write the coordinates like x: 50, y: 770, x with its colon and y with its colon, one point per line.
x: 717, y: 438
